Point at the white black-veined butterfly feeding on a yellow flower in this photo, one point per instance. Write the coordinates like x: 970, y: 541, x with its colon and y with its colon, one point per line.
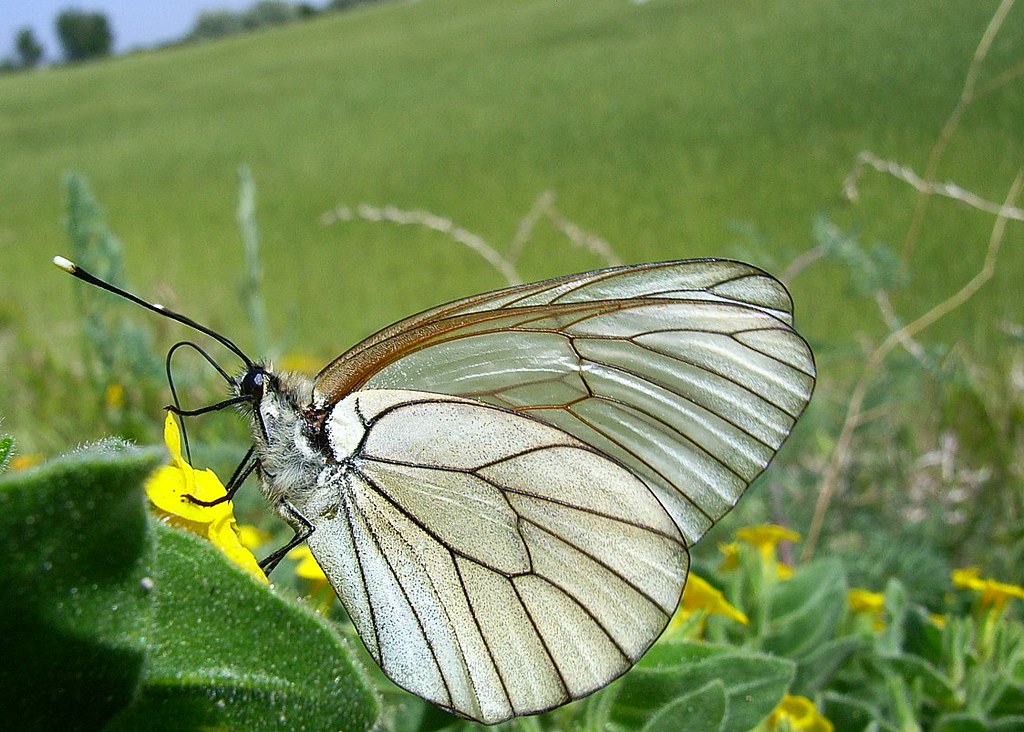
x: 504, y: 490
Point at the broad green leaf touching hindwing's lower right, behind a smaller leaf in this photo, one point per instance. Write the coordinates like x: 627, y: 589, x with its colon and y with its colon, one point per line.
x: 754, y: 683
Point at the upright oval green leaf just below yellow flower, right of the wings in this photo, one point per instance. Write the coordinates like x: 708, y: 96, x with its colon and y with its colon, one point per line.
x: 807, y: 610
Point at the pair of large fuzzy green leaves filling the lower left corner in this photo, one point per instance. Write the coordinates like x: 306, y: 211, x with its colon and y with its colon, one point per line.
x: 112, y: 619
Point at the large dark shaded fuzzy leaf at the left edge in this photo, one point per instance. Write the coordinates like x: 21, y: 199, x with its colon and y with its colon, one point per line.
x: 76, y: 607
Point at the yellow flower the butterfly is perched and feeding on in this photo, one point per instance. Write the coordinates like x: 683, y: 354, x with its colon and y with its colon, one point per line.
x: 168, y: 489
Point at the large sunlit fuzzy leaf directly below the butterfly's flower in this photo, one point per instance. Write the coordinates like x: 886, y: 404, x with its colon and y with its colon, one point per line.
x: 226, y: 652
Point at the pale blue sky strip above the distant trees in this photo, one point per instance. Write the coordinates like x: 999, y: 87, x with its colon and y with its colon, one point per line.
x: 136, y: 23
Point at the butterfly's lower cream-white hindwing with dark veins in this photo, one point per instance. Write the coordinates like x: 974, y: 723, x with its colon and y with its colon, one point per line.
x: 501, y: 580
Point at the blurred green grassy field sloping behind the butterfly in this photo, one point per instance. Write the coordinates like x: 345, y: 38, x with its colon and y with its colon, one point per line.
x: 660, y: 127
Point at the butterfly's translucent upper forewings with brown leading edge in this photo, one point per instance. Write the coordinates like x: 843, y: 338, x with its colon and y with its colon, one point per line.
x: 689, y: 373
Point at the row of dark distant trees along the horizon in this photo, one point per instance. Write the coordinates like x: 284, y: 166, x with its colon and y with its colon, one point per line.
x: 84, y: 36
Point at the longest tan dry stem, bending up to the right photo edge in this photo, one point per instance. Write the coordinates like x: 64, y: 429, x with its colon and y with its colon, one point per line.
x: 855, y: 412
